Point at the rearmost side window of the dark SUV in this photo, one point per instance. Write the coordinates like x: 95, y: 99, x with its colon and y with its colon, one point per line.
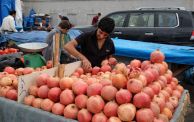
x: 167, y: 20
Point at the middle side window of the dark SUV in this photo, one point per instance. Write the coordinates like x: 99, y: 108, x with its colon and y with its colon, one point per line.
x: 141, y: 20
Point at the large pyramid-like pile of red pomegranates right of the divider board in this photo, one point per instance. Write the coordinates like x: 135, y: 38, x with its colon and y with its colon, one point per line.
x: 139, y: 91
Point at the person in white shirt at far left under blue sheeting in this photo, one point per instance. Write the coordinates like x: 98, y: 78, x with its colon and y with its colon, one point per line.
x: 8, y: 24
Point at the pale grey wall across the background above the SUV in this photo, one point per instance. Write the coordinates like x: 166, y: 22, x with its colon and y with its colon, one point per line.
x: 81, y: 12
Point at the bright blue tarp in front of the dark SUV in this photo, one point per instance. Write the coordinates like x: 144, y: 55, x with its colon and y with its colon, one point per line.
x: 142, y: 50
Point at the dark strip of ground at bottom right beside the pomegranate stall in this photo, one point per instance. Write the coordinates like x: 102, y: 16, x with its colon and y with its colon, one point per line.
x: 190, y: 115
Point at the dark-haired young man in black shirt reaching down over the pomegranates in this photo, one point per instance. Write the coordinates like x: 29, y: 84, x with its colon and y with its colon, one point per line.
x: 95, y: 46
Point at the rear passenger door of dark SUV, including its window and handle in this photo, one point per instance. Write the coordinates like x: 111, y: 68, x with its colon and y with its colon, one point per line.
x: 140, y: 26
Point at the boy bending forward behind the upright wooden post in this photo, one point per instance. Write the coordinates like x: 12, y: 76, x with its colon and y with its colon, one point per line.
x: 62, y: 28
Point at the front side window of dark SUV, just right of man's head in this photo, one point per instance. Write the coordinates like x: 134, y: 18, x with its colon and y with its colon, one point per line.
x: 119, y: 19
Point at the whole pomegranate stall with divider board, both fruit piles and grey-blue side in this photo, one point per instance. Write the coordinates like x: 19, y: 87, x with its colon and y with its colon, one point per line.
x: 137, y: 91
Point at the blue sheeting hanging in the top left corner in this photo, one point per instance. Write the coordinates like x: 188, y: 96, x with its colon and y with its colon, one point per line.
x: 5, y: 7
